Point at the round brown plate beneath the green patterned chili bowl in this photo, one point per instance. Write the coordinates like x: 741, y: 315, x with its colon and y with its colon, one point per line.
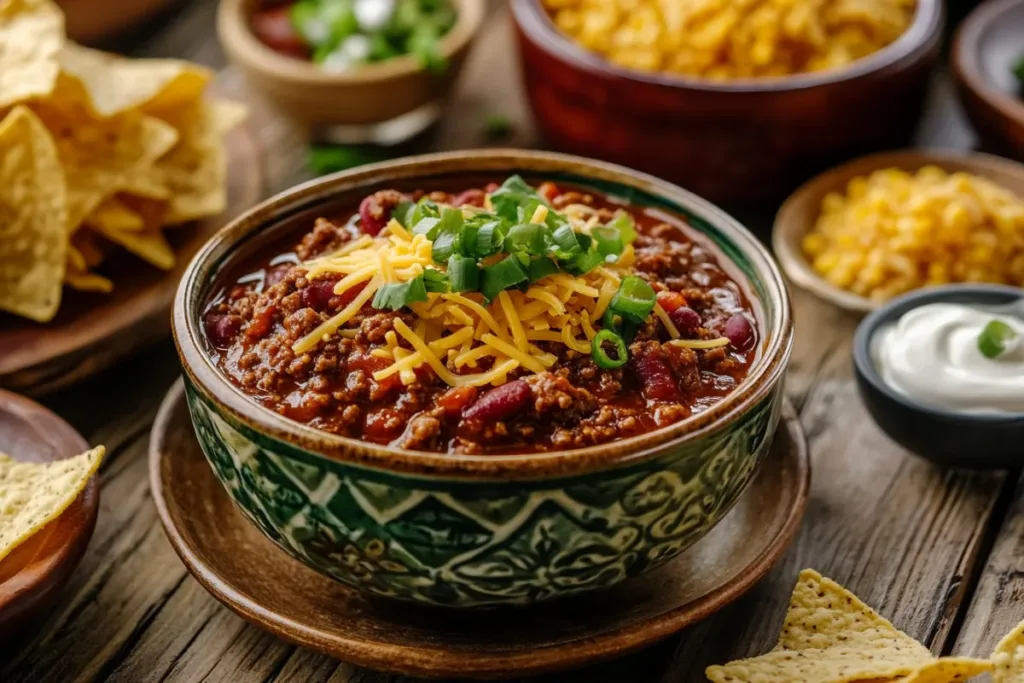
x: 246, y: 572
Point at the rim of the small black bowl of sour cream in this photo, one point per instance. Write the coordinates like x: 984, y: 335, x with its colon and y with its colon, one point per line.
x: 898, y: 308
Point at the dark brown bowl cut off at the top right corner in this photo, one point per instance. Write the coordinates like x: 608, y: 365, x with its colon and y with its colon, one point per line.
x: 988, y: 46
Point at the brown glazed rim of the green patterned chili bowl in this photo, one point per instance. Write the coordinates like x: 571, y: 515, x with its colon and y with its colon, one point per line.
x: 764, y: 377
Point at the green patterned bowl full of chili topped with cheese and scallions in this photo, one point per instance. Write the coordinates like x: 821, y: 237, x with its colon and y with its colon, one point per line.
x: 412, y: 374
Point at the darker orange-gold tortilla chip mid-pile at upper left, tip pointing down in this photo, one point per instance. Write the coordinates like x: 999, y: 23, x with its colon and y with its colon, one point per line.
x: 100, y: 156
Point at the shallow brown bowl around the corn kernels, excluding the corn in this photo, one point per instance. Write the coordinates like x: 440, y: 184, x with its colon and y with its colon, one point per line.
x: 799, y: 212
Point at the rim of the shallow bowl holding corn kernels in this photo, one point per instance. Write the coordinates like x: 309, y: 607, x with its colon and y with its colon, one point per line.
x: 787, y: 236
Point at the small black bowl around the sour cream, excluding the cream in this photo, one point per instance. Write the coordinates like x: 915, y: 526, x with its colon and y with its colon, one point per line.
x: 947, y: 438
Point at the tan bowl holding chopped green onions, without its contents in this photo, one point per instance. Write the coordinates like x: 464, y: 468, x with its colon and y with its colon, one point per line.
x: 371, y: 95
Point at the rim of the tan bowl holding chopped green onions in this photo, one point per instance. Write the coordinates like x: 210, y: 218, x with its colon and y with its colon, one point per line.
x: 238, y: 39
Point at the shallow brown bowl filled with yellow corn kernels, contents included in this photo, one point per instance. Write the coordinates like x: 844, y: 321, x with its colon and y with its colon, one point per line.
x: 886, y: 225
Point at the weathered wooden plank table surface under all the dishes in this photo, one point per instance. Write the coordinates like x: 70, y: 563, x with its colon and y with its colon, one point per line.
x: 938, y: 552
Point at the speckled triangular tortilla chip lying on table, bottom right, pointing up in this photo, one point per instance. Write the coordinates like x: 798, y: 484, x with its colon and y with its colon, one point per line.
x: 830, y: 636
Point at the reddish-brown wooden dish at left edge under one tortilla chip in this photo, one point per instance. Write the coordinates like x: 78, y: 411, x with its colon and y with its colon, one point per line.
x: 31, y: 578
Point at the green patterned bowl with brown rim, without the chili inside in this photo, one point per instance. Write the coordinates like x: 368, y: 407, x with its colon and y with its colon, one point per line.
x: 473, y: 531
